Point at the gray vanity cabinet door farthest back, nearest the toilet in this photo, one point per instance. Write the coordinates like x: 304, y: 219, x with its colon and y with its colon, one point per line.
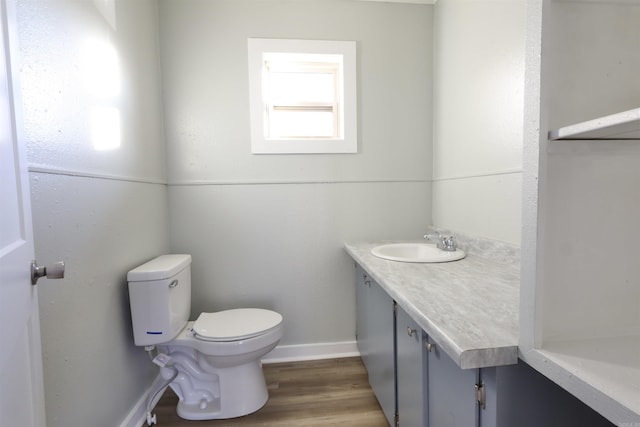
x: 375, y: 336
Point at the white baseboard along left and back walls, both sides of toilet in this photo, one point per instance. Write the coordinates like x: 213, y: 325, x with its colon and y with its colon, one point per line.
x: 284, y: 353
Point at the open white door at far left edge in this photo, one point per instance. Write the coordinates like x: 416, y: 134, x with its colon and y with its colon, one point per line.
x: 21, y: 390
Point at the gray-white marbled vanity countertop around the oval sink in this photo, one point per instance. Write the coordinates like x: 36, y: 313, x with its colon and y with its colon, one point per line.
x: 468, y: 307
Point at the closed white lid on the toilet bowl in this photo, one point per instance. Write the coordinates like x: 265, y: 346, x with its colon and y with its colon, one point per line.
x: 237, y: 324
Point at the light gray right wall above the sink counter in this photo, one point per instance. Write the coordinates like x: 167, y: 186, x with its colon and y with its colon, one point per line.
x: 478, y: 91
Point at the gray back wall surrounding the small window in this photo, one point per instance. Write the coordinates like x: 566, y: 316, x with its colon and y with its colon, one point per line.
x: 267, y: 230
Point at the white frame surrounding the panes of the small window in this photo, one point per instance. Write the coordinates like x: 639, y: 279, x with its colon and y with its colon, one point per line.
x: 261, y: 52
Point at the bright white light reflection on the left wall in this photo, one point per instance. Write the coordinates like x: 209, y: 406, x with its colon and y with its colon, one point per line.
x: 102, y: 79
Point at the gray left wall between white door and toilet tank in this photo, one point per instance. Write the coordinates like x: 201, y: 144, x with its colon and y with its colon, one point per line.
x: 102, y: 212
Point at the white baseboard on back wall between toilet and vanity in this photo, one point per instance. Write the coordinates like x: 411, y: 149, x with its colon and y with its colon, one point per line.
x: 295, y: 353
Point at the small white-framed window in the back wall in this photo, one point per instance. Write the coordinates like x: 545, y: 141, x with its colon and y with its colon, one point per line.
x: 302, y: 96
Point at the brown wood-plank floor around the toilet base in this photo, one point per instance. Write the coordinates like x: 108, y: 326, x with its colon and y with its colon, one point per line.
x: 331, y: 392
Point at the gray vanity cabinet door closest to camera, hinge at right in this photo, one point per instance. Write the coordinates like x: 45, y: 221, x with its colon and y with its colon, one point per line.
x: 451, y: 392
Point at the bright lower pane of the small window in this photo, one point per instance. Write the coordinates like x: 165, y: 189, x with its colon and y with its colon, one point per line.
x: 301, y: 124
